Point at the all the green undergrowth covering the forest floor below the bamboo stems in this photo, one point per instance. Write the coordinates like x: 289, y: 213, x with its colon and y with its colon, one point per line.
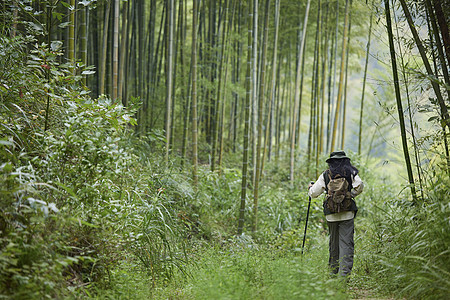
x: 89, y: 209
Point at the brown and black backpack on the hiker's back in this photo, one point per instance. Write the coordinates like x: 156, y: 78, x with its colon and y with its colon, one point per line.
x: 338, y: 196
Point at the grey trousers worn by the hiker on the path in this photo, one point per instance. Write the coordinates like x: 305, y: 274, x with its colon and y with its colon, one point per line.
x: 341, y: 247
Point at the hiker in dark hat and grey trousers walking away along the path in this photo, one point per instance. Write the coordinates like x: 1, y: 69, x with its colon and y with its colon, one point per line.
x: 340, y: 219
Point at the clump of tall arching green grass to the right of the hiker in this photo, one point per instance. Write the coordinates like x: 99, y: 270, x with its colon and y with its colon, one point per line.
x: 409, y: 250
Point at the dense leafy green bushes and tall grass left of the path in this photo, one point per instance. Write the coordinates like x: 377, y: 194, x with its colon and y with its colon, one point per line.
x: 77, y: 200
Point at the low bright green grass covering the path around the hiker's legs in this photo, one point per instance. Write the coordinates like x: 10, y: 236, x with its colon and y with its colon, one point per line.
x: 240, y: 269
